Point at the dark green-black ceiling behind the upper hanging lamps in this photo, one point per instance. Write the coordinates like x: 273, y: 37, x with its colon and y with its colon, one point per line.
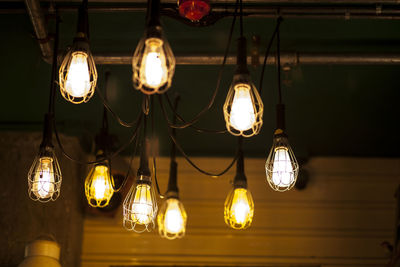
x: 332, y: 110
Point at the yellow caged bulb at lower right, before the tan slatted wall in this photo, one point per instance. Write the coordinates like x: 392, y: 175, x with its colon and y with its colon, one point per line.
x: 239, y: 208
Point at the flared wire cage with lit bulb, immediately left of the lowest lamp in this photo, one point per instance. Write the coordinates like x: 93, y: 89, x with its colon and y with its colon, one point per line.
x: 140, y: 206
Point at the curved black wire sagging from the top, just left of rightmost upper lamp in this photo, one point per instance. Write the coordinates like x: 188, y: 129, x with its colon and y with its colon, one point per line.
x: 213, y: 97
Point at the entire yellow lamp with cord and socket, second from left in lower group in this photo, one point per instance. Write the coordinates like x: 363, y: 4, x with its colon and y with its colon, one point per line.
x: 99, y: 183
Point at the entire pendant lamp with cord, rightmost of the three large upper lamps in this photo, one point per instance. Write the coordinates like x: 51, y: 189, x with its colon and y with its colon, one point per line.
x: 243, y: 108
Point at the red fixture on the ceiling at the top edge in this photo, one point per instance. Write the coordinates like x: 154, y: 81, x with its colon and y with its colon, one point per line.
x: 194, y: 9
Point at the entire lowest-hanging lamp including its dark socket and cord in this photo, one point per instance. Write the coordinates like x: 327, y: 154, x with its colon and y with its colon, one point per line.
x: 172, y: 216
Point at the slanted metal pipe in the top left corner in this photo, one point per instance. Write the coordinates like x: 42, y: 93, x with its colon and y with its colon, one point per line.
x: 35, y: 13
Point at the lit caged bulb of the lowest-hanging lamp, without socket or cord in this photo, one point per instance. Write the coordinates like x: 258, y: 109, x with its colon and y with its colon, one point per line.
x: 172, y: 219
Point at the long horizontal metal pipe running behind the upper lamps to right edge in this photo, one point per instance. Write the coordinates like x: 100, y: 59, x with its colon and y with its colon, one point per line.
x: 287, y: 58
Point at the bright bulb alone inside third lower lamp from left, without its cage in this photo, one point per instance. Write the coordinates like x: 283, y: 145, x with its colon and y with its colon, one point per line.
x: 142, y: 207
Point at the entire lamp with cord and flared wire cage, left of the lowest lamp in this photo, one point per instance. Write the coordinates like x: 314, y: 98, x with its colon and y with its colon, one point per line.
x: 140, y: 205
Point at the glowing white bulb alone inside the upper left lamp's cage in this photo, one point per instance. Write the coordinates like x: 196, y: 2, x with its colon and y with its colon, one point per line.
x: 78, y: 78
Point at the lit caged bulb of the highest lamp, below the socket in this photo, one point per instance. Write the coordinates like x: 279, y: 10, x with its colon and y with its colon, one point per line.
x: 153, y: 65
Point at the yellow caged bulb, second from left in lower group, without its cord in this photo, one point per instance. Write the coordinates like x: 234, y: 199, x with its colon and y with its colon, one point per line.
x: 99, y: 186
